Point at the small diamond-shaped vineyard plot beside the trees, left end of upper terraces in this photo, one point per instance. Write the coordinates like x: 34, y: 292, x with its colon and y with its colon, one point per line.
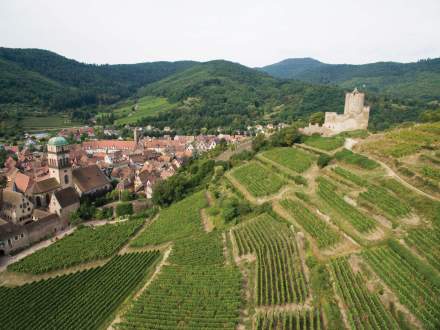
x: 258, y: 180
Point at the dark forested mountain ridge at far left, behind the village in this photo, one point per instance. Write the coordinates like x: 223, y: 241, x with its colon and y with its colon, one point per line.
x: 46, y: 79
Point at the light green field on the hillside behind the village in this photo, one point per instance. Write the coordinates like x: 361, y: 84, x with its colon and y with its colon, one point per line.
x: 146, y: 106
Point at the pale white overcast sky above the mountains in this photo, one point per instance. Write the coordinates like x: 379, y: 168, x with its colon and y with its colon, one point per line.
x: 252, y: 32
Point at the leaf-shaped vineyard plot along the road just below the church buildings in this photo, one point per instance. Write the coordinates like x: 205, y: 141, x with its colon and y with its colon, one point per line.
x: 85, y: 244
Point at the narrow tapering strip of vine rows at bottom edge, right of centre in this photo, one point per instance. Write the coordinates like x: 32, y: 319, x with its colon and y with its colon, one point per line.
x: 364, y: 309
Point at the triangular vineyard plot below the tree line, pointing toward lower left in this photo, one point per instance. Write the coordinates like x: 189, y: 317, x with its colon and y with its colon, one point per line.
x: 178, y: 221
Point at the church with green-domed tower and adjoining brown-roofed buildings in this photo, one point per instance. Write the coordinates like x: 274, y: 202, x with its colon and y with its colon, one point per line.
x: 37, y: 208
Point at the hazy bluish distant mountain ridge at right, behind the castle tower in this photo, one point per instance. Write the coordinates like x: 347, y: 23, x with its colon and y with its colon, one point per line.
x: 418, y: 80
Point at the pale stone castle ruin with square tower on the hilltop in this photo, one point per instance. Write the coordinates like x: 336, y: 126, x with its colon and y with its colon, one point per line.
x: 355, y: 117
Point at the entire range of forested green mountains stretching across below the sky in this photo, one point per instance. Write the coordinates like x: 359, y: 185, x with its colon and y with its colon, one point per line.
x: 37, y: 83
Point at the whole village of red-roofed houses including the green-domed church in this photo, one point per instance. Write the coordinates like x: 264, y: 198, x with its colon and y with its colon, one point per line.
x: 45, y: 181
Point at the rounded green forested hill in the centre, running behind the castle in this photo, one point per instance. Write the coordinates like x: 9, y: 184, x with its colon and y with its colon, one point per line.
x: 225, y: 94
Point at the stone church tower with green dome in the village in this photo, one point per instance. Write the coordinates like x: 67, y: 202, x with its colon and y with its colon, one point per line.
x: 58, y: 161
